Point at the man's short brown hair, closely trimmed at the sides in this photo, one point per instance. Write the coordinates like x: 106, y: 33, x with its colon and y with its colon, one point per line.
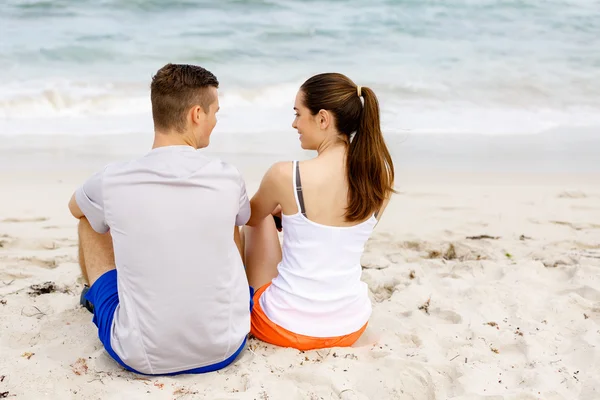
x: 175, y: 89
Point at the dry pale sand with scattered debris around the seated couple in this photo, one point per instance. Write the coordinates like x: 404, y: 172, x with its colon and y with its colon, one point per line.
x: 505, y: 318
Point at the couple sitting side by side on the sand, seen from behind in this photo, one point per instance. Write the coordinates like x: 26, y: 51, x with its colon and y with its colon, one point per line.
x: 176, y: 285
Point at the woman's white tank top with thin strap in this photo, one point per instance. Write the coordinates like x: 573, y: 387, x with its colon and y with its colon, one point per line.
x: 318, y: 291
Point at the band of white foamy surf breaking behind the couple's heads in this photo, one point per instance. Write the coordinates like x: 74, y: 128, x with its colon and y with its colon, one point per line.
x: 80, y: 107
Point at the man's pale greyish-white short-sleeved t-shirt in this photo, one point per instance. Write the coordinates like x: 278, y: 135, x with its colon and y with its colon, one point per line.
x: 183, y: 292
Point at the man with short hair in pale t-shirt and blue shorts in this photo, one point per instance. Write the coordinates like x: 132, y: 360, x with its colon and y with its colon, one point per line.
x: 156, y: 236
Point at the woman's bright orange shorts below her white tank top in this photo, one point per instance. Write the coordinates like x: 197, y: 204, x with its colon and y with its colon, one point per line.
x: 267, y: 331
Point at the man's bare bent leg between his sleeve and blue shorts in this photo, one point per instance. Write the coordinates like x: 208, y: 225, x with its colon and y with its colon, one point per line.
x: 96, y: 254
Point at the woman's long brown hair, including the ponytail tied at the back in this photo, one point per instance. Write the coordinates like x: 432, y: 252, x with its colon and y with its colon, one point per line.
x: 369, y: 165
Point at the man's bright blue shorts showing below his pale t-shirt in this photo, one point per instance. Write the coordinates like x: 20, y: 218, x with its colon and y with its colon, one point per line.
x: 104, y: 295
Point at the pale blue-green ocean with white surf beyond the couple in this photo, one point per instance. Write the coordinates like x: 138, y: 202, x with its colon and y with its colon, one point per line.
x: 83, y: 67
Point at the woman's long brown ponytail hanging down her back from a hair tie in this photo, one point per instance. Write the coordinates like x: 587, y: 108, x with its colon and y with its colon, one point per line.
x: 369, y: 164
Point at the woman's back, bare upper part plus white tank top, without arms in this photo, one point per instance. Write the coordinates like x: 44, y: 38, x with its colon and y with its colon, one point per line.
x: 319, y: 273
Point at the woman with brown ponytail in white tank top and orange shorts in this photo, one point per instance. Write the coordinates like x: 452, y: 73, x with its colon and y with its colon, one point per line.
x: 309, y: 295
